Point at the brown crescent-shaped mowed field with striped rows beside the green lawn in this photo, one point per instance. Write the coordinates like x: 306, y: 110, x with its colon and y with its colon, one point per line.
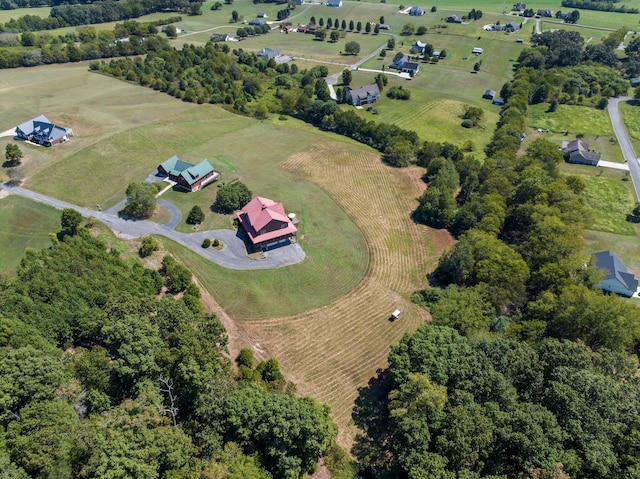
x: 331, y: 351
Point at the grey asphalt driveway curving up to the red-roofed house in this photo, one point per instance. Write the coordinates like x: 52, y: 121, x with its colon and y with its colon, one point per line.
x: 232, y: 256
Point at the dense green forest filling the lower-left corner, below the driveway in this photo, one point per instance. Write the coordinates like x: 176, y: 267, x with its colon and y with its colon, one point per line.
x: 101, y: 377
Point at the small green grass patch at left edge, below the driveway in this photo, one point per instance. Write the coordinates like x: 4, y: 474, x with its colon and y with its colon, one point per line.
x: 24, y: 224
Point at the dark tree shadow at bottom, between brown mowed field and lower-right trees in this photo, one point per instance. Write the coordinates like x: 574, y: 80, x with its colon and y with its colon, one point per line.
x: 370, y: 414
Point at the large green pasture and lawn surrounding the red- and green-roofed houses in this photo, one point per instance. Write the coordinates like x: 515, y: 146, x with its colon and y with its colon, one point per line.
x: 123, y: 131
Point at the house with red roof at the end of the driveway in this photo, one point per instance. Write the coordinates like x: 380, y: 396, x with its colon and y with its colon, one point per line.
x: 266, y: 224
